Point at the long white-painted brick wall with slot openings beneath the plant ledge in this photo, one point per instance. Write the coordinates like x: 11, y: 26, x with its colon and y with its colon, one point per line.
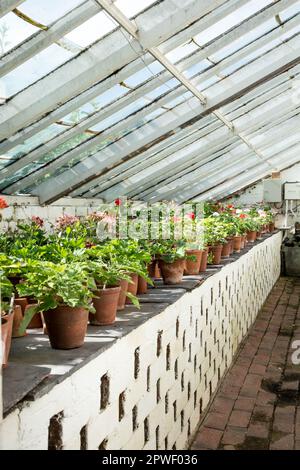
x: 203, y: 329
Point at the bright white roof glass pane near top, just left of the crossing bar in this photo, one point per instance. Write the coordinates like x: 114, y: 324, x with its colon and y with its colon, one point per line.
x: 92, y: 30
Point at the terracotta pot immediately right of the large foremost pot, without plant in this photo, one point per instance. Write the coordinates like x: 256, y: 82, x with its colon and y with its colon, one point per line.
x: 106, y: 304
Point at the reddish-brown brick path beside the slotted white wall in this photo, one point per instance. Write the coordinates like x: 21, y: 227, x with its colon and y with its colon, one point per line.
x: 258, y: 403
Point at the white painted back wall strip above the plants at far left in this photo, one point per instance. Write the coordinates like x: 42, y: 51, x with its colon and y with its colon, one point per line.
x: 22, y: 208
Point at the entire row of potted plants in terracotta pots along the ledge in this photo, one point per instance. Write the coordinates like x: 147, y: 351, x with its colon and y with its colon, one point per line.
x: 66, y: 277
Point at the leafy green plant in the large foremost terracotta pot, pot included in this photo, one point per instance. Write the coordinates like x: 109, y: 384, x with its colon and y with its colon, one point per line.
x: 64, y: 295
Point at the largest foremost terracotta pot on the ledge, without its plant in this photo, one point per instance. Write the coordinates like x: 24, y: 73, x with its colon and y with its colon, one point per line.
x: 66, y: 326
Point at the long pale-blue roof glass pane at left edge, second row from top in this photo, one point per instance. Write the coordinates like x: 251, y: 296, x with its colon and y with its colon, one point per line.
x: 34, y: 69
